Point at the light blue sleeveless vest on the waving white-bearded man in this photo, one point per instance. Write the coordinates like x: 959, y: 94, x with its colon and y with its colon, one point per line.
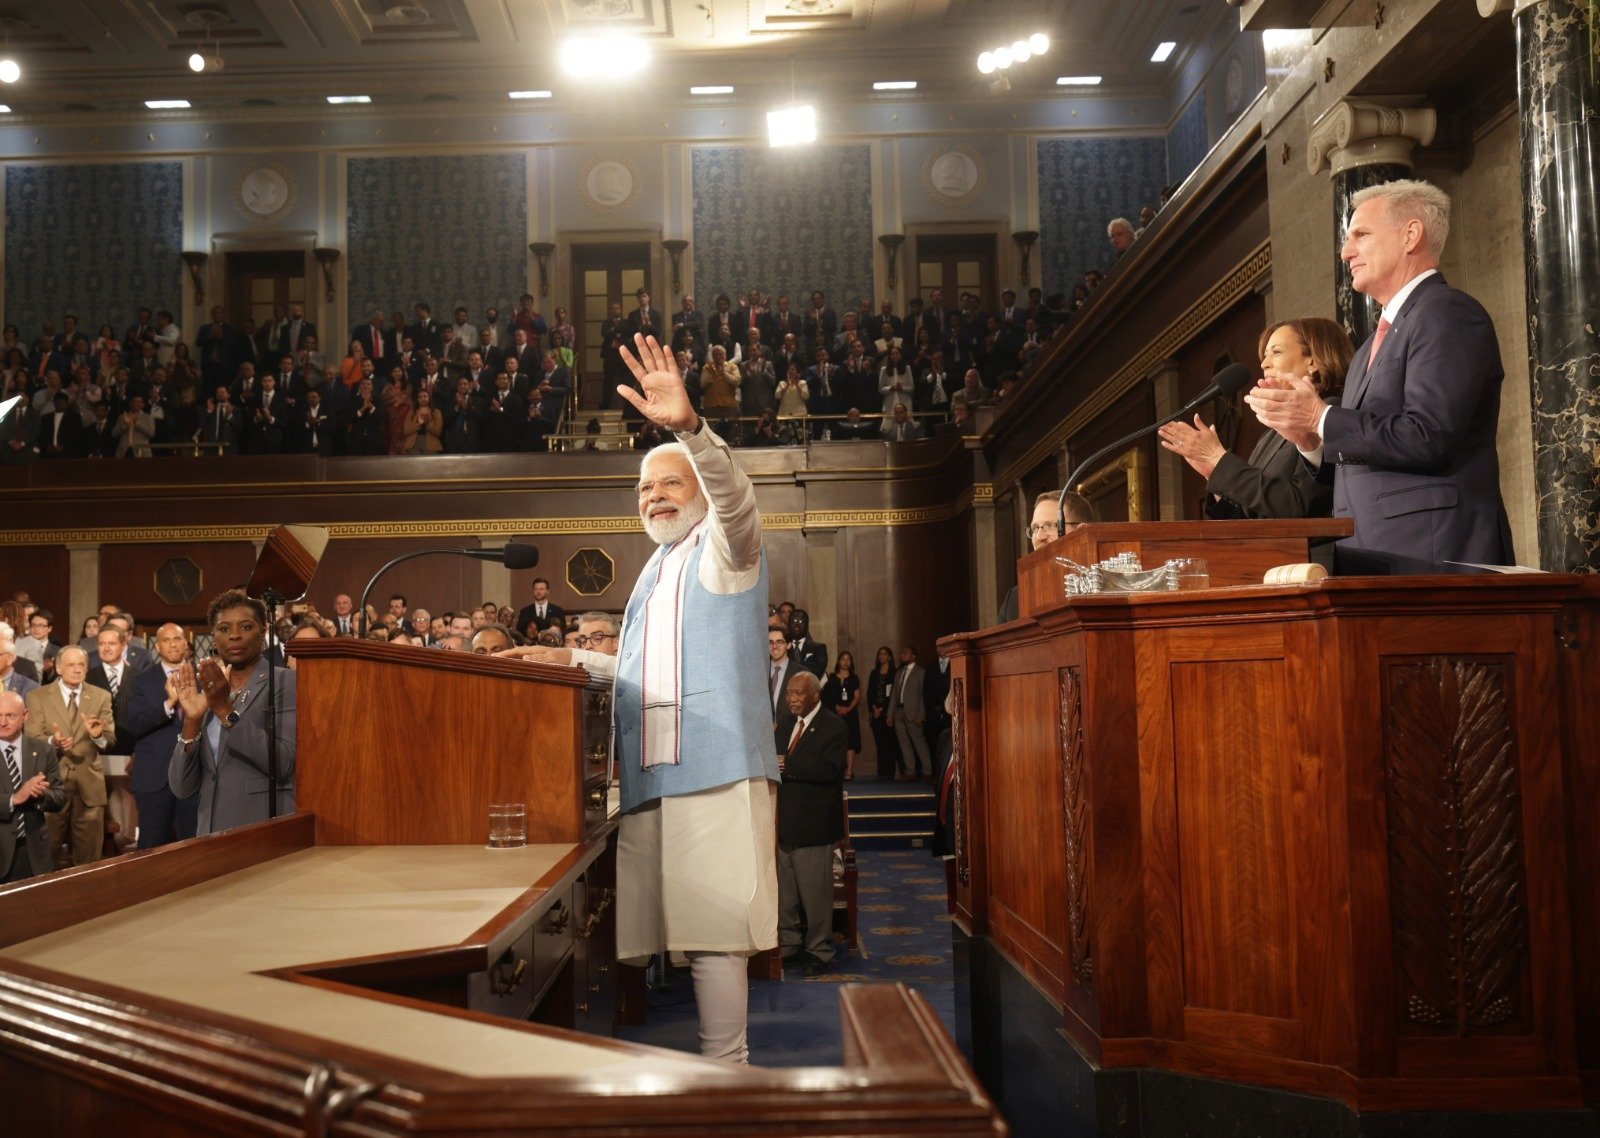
x: 727, y: 729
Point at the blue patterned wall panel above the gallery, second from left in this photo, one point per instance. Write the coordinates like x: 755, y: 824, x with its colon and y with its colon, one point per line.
x: 438, y: 230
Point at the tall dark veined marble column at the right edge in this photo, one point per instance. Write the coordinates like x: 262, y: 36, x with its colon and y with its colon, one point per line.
x: 1561, y: 180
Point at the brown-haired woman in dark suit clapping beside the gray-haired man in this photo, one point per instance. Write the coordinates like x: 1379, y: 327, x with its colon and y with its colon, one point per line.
x: 1274, y: 483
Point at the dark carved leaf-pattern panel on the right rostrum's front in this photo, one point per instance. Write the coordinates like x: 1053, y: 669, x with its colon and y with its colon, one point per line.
x: 1458, y: 905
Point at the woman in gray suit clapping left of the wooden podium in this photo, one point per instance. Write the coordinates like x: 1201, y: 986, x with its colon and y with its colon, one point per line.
x: 222, y: 750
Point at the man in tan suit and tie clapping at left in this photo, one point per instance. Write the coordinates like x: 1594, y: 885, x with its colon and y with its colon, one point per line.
x: 76, y: 719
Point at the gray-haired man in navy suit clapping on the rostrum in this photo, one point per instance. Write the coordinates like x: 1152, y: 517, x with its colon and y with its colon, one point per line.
x: 1410, y: 451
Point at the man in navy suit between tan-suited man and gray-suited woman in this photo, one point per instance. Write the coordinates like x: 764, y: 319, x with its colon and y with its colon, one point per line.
x: 154, y: 718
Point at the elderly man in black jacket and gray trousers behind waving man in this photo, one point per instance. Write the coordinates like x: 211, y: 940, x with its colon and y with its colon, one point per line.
x: 812, y: 747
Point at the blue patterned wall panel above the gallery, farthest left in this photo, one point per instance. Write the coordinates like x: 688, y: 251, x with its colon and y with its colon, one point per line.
x: 98, y: 241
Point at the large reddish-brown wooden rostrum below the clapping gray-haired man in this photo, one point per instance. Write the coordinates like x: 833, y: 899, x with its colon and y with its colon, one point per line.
x: 1337, y: 839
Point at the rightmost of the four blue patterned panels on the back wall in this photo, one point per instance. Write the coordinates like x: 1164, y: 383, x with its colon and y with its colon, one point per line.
x: 1082, y: 185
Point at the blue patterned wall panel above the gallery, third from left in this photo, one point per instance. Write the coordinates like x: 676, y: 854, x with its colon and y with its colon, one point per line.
x: 783, y: 222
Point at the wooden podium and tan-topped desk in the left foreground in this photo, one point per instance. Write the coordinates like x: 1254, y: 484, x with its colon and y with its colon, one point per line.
x: 369, y: 968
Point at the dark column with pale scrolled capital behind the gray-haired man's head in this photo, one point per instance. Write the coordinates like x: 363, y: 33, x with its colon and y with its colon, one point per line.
x: 1364, y: 145
